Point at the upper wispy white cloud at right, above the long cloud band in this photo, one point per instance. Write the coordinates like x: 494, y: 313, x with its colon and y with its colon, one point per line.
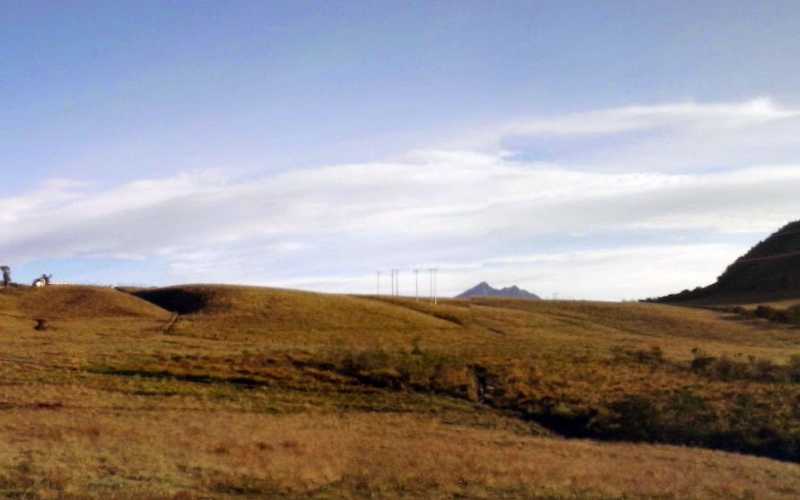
x: 669, y: 137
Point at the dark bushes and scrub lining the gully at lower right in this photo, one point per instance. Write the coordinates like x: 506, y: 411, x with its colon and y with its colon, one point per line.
x: 741, y: 422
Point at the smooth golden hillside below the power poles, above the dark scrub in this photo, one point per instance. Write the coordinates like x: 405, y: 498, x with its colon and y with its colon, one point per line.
x: 478, y: 327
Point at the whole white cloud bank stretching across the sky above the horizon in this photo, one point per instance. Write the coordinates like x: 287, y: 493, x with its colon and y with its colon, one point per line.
x: 621, y: 221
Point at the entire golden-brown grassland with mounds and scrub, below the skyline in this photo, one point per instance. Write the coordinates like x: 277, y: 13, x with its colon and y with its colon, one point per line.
x: 260, y: 392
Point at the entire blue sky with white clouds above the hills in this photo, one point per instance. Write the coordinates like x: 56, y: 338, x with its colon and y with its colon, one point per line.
x: 590, y: 150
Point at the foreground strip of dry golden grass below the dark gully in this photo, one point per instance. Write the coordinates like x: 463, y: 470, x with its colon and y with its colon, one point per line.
x: 185, y: 454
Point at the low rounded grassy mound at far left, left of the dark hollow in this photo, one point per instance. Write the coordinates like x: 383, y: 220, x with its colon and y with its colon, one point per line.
x: 80, y: 302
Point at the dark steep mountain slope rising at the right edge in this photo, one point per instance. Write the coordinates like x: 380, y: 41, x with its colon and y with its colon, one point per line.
x: 769, y: 271
